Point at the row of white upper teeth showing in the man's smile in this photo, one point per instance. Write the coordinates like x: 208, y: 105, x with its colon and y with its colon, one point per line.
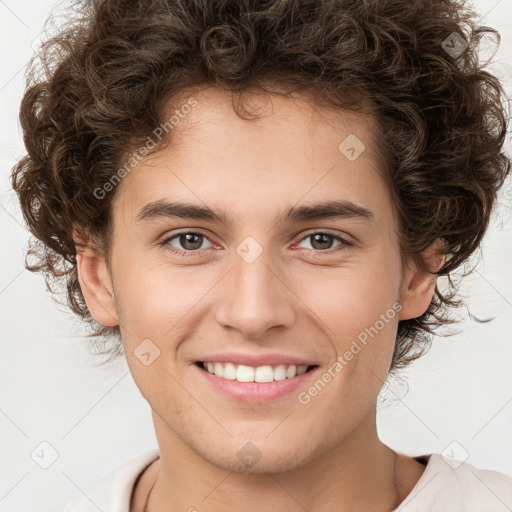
x: 243, y: 373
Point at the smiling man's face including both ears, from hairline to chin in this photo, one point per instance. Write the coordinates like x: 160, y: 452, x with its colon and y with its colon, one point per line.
x: 275, y: 276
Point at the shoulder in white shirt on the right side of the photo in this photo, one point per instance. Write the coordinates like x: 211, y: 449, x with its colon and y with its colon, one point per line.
x: 453, y: 486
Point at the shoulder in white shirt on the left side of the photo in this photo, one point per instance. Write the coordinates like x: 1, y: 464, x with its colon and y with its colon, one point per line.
x: 113, y: 490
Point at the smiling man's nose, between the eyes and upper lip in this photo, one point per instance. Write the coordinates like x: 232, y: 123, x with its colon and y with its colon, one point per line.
x: 257, y: 297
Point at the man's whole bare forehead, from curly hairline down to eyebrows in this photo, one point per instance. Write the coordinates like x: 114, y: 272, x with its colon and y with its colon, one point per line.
x: 293, y: 151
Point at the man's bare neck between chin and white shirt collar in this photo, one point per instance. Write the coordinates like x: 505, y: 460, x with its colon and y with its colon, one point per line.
x: 359, y: 474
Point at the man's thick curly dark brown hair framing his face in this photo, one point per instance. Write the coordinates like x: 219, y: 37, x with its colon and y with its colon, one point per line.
x: 108, y: 76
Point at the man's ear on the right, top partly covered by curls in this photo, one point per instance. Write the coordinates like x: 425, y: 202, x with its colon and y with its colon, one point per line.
x: 419, y: 285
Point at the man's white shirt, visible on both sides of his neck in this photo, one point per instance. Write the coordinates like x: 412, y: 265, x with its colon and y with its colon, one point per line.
x: 444, y: 486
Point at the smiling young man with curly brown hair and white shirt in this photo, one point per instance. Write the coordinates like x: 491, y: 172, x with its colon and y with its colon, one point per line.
x: 255, y: 199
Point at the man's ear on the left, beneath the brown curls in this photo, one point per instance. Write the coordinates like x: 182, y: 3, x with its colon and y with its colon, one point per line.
x: 95, y: 282
